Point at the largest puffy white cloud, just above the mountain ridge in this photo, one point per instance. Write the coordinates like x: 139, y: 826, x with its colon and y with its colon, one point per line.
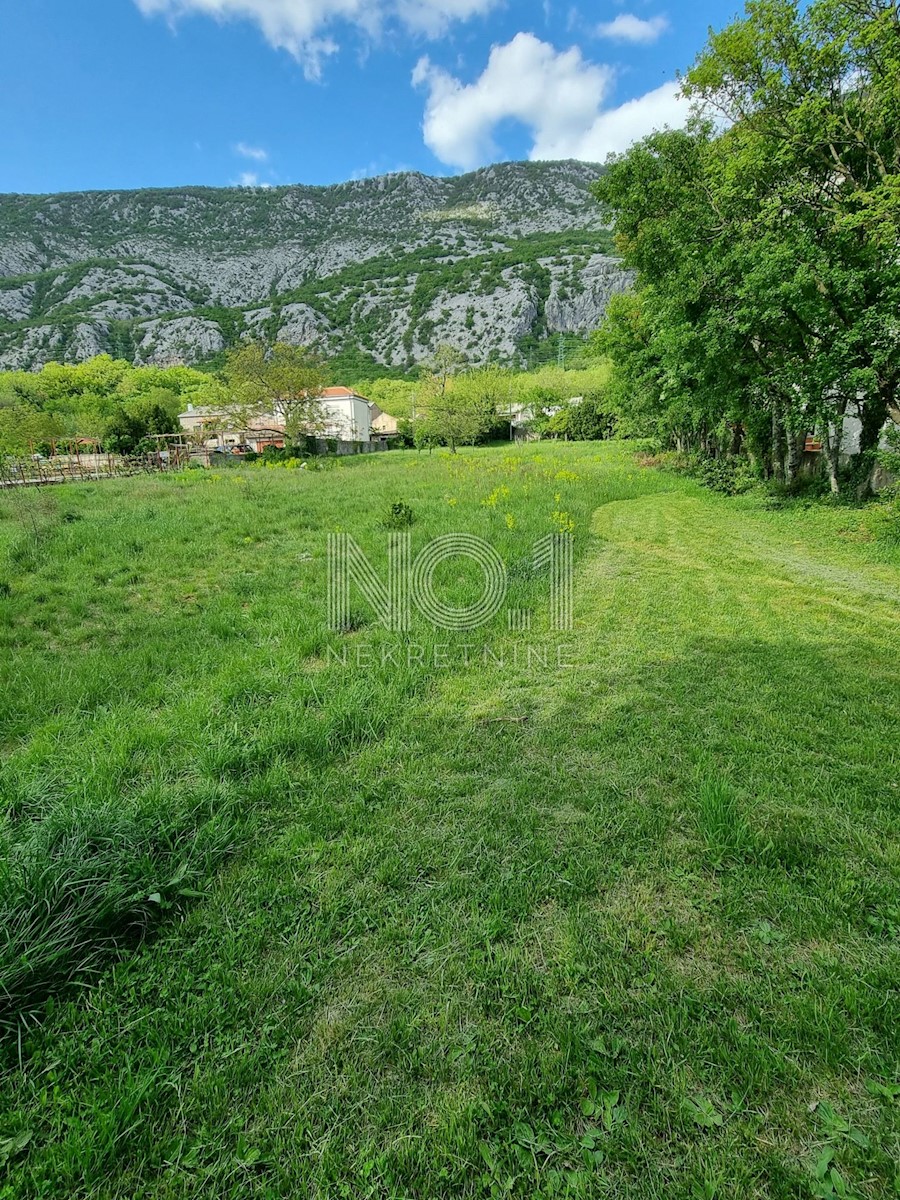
x: 559, y: 95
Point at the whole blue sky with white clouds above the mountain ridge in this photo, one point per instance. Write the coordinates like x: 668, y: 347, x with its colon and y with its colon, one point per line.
x: 116, y: 94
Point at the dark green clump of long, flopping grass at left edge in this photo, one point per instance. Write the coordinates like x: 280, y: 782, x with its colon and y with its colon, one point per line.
x: 95, y: 879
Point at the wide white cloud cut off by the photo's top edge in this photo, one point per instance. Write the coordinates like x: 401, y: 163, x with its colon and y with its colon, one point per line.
x: 301, y: 27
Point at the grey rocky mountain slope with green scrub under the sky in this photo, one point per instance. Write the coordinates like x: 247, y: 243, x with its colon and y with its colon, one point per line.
x: 380, y: 271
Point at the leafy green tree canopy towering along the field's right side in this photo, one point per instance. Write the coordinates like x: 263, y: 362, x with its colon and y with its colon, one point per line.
x: 767, y: 241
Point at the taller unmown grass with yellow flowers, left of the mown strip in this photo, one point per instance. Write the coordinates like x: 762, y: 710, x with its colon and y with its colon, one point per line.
x: 155, y: 643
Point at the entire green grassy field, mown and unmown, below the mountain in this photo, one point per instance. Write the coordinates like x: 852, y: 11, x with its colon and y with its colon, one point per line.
x: 622, y: 928
